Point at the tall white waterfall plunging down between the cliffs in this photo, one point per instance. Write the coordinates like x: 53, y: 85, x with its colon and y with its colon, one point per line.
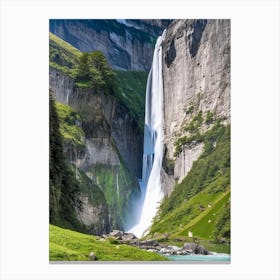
x: 153, y: 143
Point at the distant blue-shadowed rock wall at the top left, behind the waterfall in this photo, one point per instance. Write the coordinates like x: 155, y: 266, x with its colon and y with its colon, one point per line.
x: 127, y: 44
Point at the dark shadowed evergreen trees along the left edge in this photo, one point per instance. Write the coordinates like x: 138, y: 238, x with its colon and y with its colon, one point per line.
x: 64, y: 189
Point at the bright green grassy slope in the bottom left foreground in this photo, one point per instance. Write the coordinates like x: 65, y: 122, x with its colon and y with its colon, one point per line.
x: 68, y: 245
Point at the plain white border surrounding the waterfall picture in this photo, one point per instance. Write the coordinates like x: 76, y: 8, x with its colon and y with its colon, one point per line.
x: 24, y: 138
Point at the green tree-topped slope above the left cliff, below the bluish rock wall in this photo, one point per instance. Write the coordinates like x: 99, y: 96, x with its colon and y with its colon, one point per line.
x: 91, y: 70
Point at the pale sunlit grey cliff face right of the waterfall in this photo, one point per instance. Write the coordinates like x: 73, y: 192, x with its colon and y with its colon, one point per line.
x: 196, y: 75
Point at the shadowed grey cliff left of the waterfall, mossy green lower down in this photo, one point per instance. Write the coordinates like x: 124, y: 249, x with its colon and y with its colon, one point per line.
x: 112, y: 152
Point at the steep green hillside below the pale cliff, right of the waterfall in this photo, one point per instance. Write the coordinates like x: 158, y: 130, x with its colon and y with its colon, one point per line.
x: 200, y: 203
